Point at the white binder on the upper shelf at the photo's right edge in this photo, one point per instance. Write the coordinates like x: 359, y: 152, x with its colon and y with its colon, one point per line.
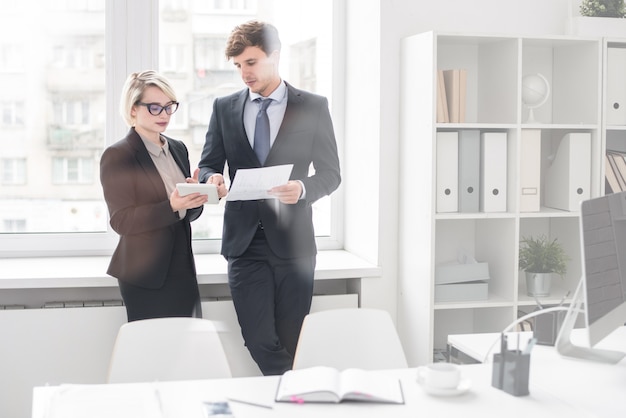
x: 616, y: 86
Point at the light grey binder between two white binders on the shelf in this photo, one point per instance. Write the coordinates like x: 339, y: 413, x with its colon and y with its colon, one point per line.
x: 469, y: 170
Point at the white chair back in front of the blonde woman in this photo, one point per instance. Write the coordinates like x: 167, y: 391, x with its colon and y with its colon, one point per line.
x: 167, y: 349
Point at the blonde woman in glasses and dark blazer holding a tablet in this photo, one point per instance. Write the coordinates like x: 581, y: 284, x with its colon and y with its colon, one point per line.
x: 153, y: 261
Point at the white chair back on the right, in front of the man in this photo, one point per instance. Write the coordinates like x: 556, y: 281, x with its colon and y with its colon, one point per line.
x: 349, y: 338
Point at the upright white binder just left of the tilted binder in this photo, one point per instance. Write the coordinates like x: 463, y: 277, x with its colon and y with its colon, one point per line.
x: 530, y: 171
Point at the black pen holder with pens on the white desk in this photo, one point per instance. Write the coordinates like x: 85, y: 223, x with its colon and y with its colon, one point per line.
x: 511, y: 371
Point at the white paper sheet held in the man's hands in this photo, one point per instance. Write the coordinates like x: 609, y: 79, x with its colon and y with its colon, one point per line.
x: 254, y: 183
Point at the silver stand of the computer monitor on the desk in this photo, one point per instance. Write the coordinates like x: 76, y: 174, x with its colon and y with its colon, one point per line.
x: 564, y: 345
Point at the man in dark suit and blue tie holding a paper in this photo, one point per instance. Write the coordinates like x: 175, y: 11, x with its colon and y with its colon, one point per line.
x: 270, y: 244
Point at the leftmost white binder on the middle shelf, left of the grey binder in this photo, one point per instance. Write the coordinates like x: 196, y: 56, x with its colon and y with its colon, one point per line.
x: 447, y: 171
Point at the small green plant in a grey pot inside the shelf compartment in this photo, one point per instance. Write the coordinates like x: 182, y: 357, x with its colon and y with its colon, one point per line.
x: 540, y: 258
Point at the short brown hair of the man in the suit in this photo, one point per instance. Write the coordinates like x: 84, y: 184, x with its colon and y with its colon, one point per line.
x: 252, y: 33
